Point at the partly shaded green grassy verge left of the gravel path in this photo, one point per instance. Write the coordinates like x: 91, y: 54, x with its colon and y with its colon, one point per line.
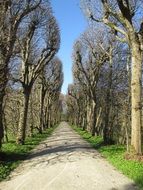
x: 13, y: 154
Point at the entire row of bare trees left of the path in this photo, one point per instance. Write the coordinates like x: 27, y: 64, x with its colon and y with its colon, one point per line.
x: 29, y: 41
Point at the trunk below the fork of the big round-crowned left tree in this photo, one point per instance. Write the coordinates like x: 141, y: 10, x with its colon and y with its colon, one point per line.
x: 23, y: 118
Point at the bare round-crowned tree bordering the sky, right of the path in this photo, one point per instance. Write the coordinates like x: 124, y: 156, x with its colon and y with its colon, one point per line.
x: 89, y: 59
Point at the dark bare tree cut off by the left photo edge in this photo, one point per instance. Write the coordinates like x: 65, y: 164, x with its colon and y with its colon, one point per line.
x: 12, y: 14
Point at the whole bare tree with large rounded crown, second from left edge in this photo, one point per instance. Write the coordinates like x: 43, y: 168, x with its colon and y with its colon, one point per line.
x: 34, y: 58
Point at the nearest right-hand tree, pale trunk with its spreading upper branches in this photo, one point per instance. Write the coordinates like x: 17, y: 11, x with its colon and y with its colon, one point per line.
x: 125, y: 19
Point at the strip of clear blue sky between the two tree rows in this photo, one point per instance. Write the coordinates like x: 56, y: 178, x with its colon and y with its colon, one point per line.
x: 72, y: 23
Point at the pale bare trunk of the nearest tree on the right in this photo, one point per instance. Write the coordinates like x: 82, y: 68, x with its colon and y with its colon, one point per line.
x: 136, y: 110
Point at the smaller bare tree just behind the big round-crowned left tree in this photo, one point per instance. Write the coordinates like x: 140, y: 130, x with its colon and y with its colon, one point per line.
x: 51, y: 81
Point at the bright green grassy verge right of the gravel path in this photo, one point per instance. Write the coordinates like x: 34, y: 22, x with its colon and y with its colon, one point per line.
x: 115, y: 155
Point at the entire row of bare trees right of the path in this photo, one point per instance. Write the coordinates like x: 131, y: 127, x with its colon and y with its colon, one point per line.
x: 107, y: 70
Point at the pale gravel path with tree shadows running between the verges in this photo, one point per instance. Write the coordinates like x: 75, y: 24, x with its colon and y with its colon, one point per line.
x: 66, y: 162
